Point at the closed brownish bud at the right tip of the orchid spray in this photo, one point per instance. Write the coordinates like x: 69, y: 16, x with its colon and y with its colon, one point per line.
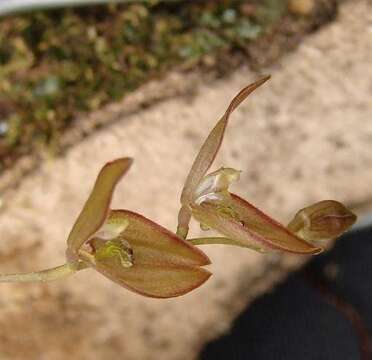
x: 323, y: 220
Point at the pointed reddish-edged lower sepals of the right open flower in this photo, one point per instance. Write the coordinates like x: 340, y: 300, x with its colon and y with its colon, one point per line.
x: 249, y: 226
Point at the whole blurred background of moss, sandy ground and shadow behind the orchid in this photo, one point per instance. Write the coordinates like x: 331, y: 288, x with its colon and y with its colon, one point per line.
x: 83, y: 82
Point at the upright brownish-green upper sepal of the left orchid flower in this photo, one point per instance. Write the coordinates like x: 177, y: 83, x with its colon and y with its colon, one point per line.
x: 96, y: 208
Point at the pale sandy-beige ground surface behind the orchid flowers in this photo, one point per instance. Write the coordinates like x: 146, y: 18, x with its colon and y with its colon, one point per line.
x: 303, y: 137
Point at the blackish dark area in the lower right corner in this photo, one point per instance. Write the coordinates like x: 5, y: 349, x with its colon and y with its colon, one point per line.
x: 323, y: 312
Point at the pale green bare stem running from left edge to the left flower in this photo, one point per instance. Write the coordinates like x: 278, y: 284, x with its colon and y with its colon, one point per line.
x: 56, y: 273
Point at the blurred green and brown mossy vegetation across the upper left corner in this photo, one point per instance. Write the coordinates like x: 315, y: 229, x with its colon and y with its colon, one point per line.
x: 56, y: 64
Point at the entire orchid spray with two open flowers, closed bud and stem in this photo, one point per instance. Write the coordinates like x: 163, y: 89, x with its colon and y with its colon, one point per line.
x: 148, y: 259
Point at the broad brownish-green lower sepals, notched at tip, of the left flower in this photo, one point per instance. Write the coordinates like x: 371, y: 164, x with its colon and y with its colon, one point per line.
x: 162, y: 265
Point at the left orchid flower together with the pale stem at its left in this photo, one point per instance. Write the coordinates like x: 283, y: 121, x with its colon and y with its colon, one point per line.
x: 126, y: 247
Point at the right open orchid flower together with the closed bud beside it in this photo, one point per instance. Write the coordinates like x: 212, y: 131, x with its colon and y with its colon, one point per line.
x: 207, y: 199
